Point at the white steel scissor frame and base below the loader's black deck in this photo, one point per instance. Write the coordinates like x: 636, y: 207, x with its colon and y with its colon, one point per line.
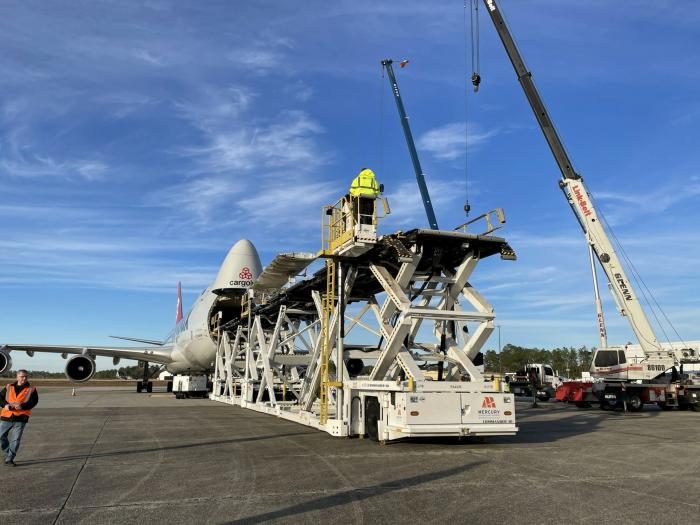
x: 277, y: 367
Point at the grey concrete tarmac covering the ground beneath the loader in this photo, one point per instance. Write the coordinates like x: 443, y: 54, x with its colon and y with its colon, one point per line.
x: 114, y: 456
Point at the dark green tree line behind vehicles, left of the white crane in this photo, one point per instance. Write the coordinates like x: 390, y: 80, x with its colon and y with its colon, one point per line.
x: 568, y: 361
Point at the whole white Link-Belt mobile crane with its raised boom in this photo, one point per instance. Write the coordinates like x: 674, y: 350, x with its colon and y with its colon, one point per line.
x: 650, y: 372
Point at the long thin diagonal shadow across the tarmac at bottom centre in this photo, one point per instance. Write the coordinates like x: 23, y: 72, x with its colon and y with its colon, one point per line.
x: 354, y: 495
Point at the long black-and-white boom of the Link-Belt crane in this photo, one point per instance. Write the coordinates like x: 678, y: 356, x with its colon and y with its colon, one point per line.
x: 580, y: 201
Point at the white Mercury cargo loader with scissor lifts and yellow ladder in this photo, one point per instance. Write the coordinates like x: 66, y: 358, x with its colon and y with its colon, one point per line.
x: 346, y: 350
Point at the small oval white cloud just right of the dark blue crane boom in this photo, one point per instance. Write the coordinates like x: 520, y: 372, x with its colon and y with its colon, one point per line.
x: 448, y: 142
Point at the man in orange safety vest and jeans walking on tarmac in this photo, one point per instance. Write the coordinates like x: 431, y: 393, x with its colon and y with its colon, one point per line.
x: 17, y: 400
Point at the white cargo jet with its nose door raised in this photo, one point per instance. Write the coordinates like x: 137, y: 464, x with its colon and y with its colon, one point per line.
x: 191, y: 346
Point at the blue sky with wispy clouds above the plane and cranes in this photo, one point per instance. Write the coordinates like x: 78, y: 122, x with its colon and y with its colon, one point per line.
x: 140, y: 140
